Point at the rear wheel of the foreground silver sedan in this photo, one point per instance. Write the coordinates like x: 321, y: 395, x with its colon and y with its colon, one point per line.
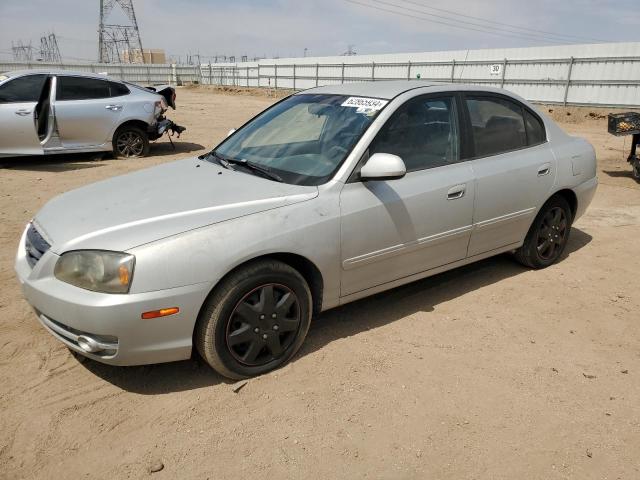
x: 548, y: 236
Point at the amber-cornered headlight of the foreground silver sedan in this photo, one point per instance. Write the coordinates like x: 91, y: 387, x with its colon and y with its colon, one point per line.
x: 100, y: 271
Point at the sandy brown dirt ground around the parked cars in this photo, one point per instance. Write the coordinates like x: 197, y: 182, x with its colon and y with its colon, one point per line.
x: 490, y: 371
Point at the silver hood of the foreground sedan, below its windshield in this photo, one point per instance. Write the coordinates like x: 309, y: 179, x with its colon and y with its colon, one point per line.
x: 130, y: 210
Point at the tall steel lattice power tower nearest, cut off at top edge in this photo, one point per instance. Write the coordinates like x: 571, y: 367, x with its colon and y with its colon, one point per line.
x: 119, y: 43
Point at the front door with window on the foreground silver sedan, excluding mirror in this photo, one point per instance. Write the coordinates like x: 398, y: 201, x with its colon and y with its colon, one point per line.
x: 396, y: 228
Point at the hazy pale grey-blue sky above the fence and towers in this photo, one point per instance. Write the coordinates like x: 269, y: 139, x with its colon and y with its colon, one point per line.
x: 285, y: 28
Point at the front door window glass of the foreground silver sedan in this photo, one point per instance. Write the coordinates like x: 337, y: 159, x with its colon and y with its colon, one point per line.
x: 423, y: 132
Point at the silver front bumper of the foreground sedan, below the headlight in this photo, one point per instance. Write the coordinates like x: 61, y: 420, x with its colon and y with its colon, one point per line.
x: 113, y: 321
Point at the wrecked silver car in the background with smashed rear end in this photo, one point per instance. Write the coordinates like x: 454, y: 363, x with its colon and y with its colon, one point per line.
x: 47, y: 112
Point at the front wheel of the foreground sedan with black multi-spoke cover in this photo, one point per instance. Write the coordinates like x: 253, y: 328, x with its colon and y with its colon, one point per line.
x: 247, y: 327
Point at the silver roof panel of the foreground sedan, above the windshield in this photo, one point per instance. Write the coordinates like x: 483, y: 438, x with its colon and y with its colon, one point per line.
x: 388, y: 89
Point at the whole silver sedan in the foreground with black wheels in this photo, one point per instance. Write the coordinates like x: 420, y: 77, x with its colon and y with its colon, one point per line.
x: 329, y: 196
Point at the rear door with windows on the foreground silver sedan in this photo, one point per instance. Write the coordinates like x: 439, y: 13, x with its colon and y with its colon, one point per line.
x: 514, y: 166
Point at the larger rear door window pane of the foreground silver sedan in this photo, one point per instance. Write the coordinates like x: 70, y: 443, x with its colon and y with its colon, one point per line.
x: 497, y: 125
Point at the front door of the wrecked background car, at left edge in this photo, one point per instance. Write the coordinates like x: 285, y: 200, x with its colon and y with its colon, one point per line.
x: 18, y: 101
